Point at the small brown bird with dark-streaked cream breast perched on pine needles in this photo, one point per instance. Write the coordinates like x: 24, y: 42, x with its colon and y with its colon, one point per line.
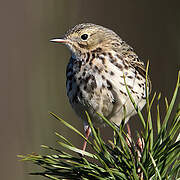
x: 101, y: 68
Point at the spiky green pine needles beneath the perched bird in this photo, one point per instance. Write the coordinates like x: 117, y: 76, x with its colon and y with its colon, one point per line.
x: 155, y: 157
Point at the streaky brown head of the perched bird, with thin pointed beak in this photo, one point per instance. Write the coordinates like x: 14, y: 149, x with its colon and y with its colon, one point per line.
x: 86, y: 37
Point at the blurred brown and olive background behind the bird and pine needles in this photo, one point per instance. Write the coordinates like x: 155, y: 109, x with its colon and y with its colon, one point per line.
x: 32, y: 71
